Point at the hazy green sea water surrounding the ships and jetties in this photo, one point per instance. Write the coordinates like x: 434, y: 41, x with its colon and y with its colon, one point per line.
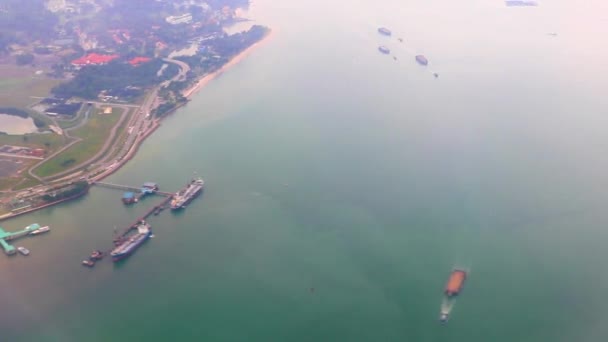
x: 344, y: 185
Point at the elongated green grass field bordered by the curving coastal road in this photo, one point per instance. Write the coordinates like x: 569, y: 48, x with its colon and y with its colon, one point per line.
x: 94, y: 135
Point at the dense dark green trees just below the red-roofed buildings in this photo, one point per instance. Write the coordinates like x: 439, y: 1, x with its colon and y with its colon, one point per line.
x: 113, y: 77
